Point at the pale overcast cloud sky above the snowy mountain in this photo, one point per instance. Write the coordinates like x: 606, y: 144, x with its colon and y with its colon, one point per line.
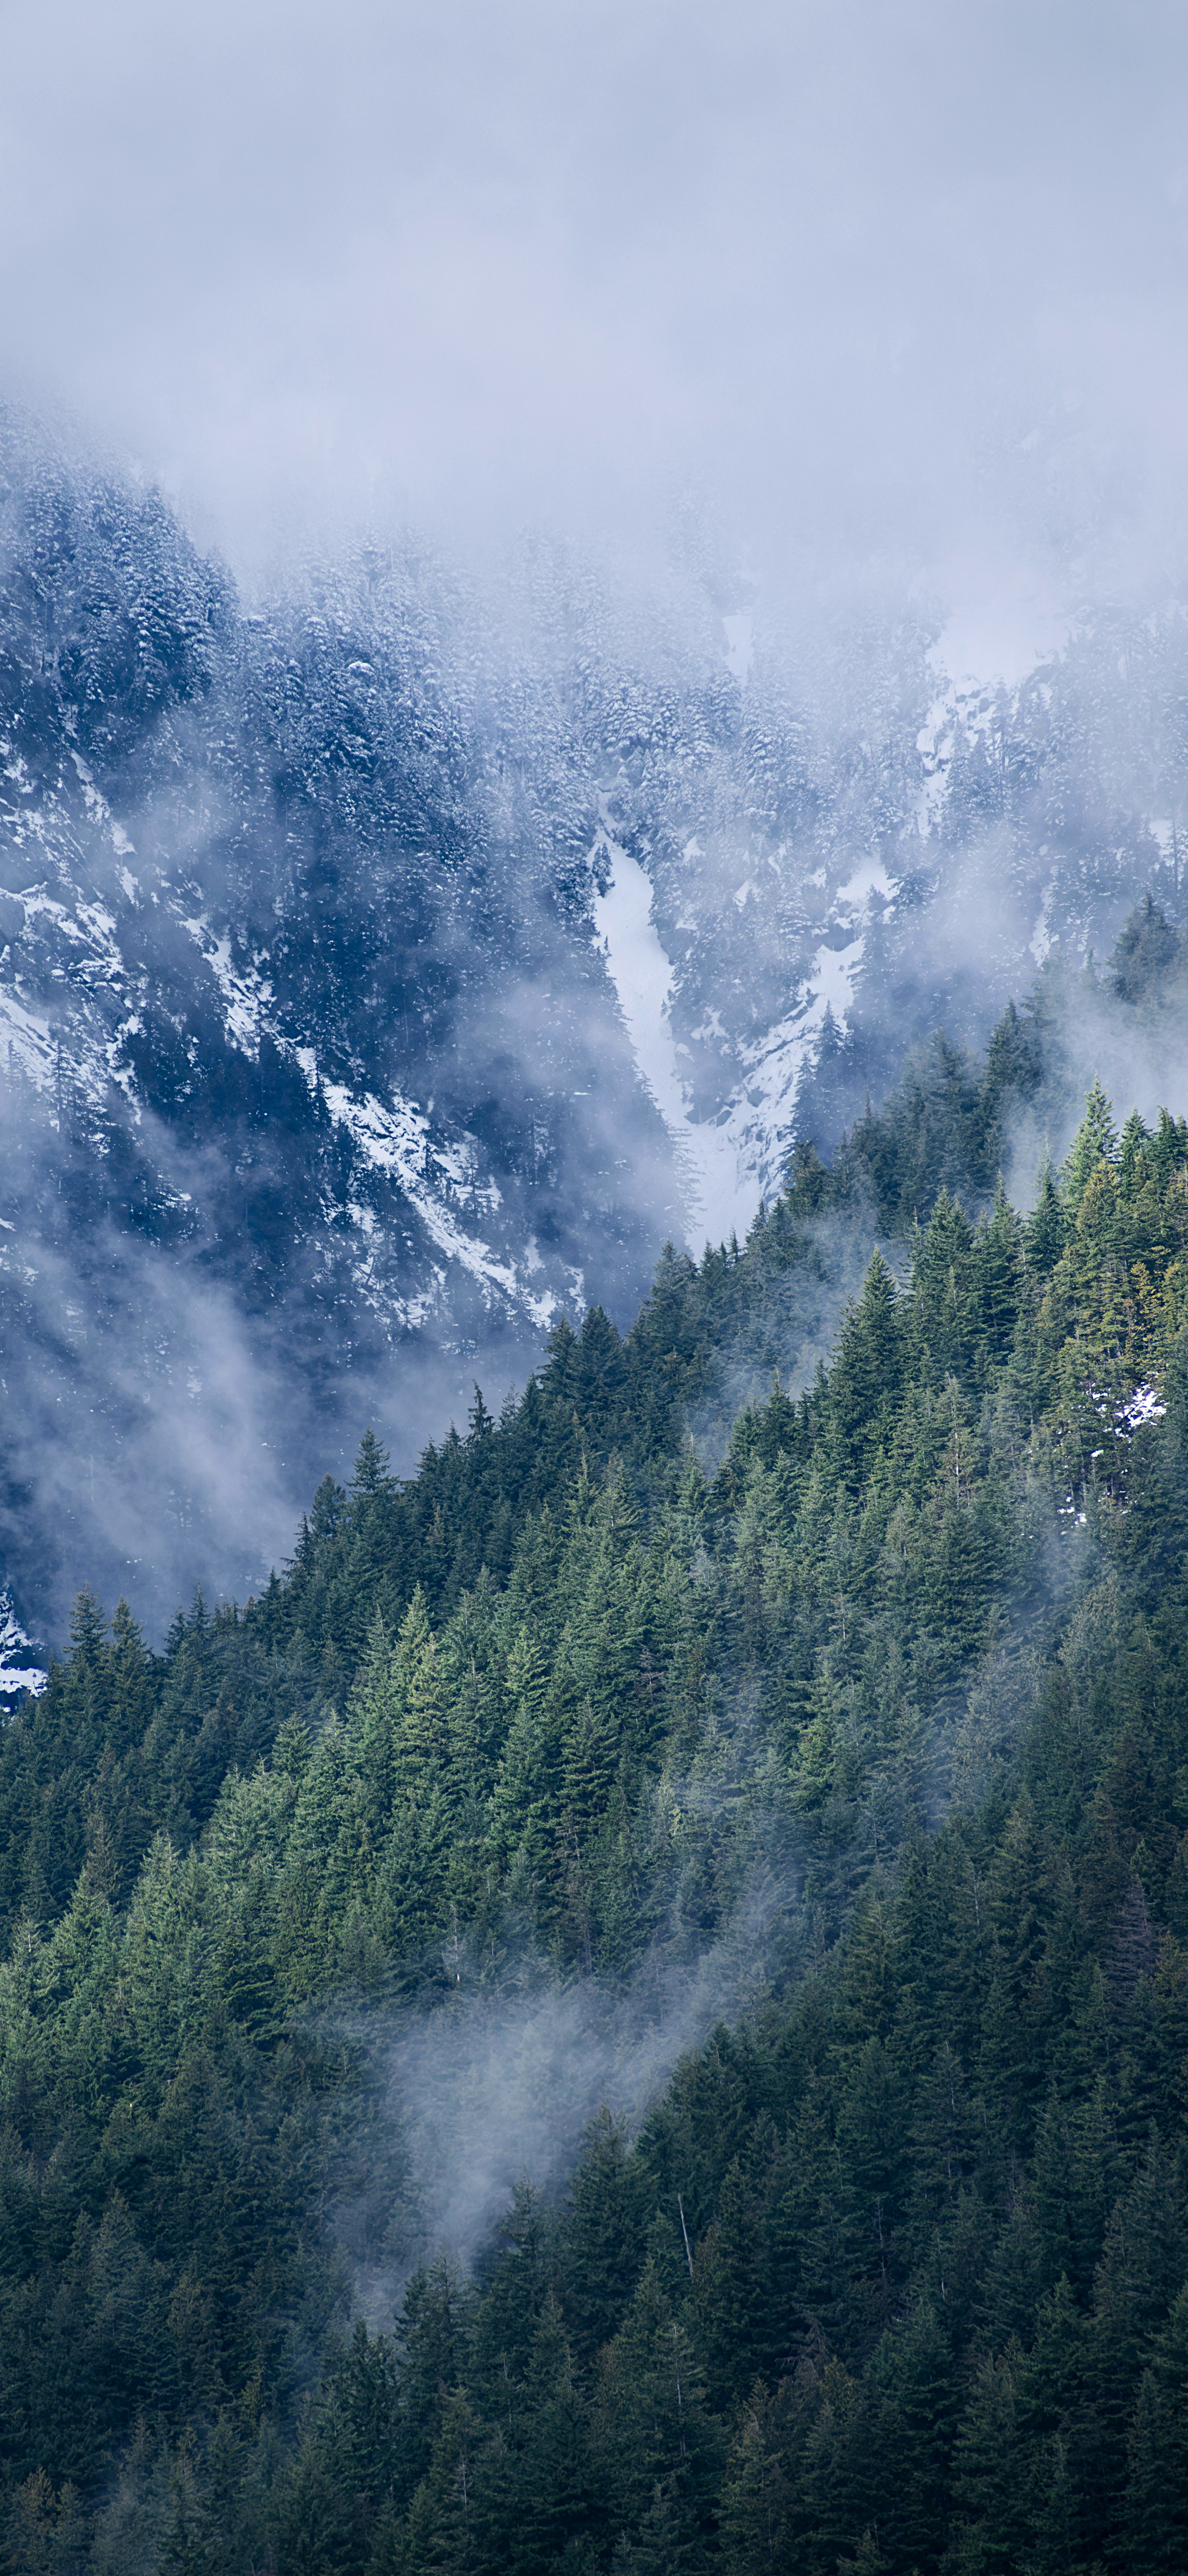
x: 883, y: 282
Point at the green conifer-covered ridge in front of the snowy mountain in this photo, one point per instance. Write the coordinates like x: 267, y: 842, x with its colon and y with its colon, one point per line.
x: 885, y: 1691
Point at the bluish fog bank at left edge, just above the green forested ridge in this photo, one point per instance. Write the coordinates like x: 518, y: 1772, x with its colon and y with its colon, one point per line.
x: 158, y: 1436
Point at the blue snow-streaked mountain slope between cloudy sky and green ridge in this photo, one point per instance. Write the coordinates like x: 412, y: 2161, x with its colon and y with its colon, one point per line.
x: 398, y: 967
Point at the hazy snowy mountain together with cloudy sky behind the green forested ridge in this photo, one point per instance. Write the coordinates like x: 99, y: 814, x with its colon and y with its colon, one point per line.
x: 568, y: 586
